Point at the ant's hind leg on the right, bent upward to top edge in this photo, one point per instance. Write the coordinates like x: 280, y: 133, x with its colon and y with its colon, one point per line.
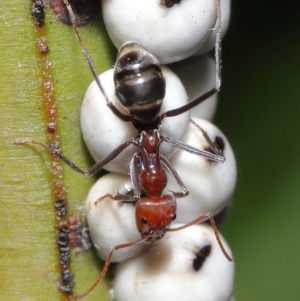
x: 217, y: 86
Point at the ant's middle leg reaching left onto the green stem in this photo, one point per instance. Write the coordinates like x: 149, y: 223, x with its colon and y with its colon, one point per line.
x: 55, y: 151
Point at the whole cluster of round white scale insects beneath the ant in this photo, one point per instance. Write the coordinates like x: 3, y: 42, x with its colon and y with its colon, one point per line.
x: 187, y: 264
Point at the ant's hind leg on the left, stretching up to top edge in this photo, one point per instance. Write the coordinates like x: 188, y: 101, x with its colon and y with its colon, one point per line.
x: 88, y: 58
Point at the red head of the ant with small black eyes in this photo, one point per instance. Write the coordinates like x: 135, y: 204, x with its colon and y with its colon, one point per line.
x: 154, y: 216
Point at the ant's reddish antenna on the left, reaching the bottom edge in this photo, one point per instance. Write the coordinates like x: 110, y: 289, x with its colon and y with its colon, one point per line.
x: 107, y: 263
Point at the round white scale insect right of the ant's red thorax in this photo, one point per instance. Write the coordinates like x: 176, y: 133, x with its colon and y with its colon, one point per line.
x: 210, y: 184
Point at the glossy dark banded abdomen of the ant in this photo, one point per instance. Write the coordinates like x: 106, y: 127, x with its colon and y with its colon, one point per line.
x: 139, y: 83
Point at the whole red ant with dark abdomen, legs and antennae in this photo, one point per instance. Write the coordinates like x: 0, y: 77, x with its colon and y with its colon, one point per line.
x: 140, y: 88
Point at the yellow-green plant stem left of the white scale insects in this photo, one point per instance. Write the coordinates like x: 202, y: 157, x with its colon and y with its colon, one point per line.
x: 29, y: 267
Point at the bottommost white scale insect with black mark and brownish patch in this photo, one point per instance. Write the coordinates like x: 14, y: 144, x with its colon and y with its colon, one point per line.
x: 165, y: 270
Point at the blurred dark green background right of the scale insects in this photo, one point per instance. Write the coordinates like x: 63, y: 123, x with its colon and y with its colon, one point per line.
x: 259, y: 112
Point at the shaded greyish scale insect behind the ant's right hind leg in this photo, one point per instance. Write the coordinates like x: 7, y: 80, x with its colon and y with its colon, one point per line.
x: 198, y: 75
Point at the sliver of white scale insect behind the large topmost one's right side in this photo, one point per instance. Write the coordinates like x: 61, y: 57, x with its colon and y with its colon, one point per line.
x: 209, y: 44
